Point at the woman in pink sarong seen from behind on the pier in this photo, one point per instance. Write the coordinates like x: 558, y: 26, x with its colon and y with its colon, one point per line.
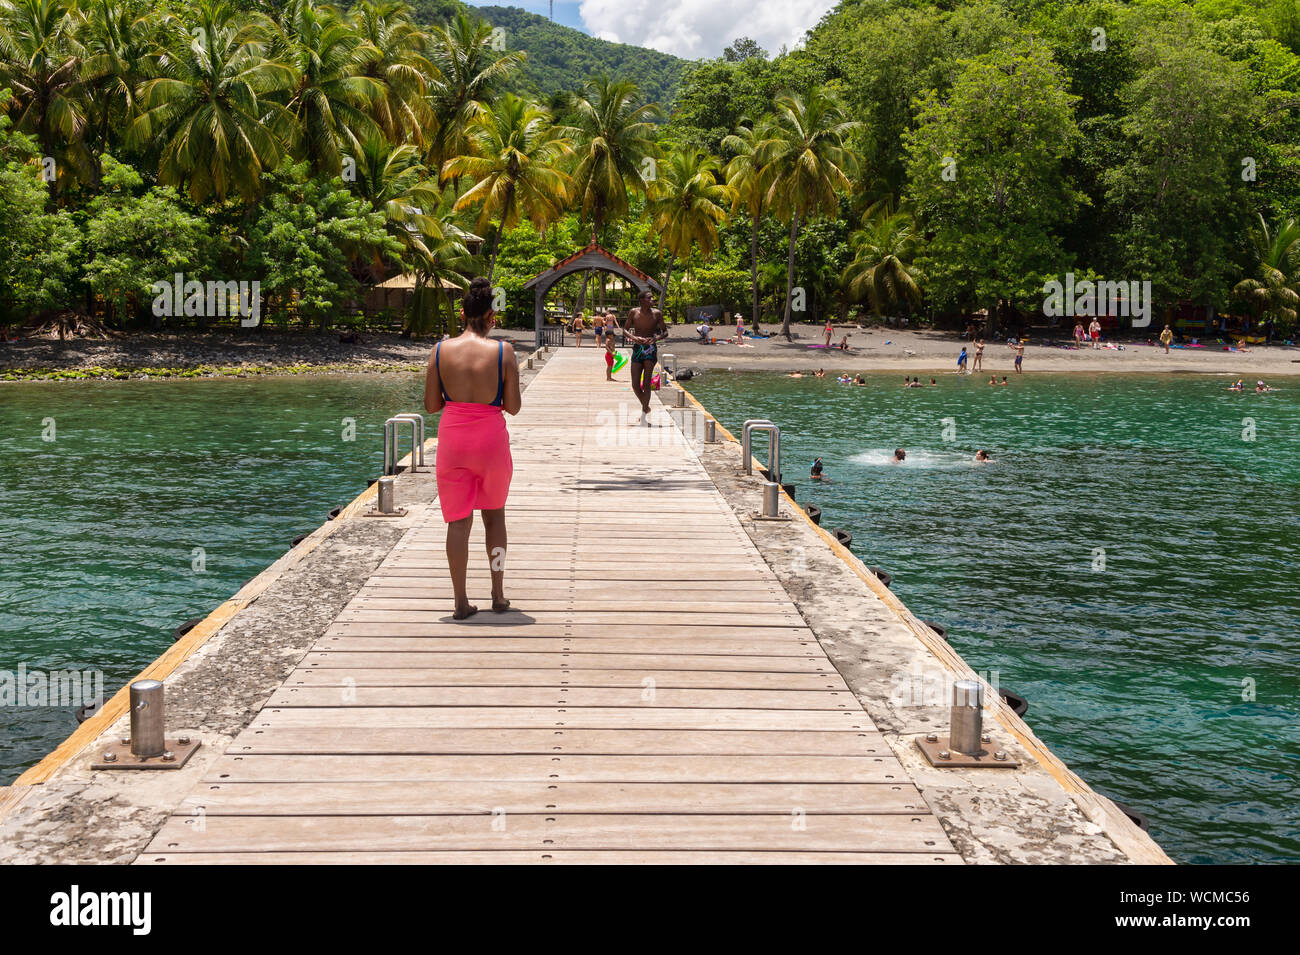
x: 474, y: 463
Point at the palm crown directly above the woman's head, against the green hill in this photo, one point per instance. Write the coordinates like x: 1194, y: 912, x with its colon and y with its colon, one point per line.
x: 471, y: 70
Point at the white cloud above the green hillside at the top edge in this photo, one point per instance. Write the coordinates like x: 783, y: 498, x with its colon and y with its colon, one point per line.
x: 701, y: 29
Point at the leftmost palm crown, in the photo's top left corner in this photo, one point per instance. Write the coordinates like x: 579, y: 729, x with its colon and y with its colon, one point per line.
x: 41, y: 62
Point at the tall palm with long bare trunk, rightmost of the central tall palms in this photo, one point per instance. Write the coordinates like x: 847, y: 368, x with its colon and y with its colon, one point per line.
x: 805, y: 163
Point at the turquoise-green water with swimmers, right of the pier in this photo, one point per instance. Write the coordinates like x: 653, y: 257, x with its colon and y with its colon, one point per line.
x: 1129, y: 565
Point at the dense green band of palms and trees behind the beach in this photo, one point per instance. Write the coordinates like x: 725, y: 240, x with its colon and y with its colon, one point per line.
x: 353, y: 167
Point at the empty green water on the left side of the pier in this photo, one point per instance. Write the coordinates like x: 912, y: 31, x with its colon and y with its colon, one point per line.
x: 99, y: 527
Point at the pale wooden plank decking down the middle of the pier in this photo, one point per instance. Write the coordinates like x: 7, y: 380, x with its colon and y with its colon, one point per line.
x: 627, y: 711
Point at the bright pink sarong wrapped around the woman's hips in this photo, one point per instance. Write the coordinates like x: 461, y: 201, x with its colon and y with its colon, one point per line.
x: 474, y: 463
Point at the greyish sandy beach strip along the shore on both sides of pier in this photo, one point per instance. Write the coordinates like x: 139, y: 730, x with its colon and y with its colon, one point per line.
x: 872, y: 350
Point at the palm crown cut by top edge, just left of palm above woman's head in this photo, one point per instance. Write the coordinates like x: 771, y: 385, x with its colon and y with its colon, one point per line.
x: 401, y: 66
